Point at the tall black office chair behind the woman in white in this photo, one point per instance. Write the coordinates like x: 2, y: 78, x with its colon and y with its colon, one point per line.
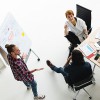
x: 84, y: 14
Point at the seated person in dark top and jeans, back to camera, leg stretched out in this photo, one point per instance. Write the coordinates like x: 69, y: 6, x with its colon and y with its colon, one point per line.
x: 74, y: 71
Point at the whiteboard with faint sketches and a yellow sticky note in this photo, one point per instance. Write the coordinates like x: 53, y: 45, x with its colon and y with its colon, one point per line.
x: 12, y: 33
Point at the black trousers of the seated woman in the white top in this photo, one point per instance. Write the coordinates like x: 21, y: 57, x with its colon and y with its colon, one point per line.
x: 74, y: 40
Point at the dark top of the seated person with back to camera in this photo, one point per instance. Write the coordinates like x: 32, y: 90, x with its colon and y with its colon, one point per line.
x: 78, y: 73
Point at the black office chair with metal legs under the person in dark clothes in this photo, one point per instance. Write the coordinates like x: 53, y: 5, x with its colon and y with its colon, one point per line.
x: 76, y: 87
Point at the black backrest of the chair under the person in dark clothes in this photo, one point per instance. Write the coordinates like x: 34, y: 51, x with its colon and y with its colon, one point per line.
x: 83, y: 83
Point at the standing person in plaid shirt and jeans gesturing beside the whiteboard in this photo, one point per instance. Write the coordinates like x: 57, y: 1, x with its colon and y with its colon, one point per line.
x: 21, y: 71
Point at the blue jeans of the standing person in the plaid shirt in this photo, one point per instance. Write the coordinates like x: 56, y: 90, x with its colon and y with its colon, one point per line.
x: 33, y: 84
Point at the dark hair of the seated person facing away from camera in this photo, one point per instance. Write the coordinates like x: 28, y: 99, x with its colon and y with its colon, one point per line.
x: 77, y: 57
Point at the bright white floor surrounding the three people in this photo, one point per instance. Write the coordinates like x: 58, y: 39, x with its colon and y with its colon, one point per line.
x: 44, y: 25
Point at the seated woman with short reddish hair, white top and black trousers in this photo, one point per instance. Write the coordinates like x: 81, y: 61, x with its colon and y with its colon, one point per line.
x: 75, y: 29
